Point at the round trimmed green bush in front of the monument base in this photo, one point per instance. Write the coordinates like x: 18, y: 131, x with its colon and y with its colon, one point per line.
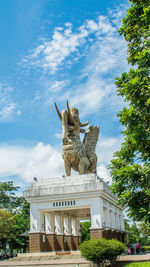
x: 101, y: 250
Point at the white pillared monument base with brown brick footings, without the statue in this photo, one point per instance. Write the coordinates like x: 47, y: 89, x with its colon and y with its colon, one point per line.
x: 57, y: 206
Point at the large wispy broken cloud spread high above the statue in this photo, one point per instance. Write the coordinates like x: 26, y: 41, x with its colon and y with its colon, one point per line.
x: 104, y: 57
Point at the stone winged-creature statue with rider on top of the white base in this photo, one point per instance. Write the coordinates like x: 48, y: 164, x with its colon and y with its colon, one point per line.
x: 80, y: 156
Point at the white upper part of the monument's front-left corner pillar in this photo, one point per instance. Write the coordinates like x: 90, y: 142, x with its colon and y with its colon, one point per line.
x: 35, y: 218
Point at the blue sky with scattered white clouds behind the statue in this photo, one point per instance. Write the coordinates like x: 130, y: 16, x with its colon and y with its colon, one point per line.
x: 52, y: 51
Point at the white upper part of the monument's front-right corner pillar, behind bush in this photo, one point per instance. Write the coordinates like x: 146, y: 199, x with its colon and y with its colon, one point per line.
x: 97, y: 215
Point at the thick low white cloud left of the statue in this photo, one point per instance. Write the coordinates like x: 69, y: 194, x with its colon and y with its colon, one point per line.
x: 41, y: 161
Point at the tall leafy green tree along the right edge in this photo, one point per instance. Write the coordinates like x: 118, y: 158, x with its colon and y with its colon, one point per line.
x: 130, y: 168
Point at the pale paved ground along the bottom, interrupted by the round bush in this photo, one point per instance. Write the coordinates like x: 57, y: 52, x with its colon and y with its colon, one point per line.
x: 74, y: 262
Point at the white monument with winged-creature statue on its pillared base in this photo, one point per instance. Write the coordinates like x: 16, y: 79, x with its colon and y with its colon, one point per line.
x: 58, y: 204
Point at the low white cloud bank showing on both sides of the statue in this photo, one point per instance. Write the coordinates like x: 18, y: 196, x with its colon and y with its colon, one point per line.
x: 44, y: 161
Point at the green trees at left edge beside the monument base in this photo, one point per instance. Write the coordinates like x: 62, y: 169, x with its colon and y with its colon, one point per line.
x: 14, y: 218
